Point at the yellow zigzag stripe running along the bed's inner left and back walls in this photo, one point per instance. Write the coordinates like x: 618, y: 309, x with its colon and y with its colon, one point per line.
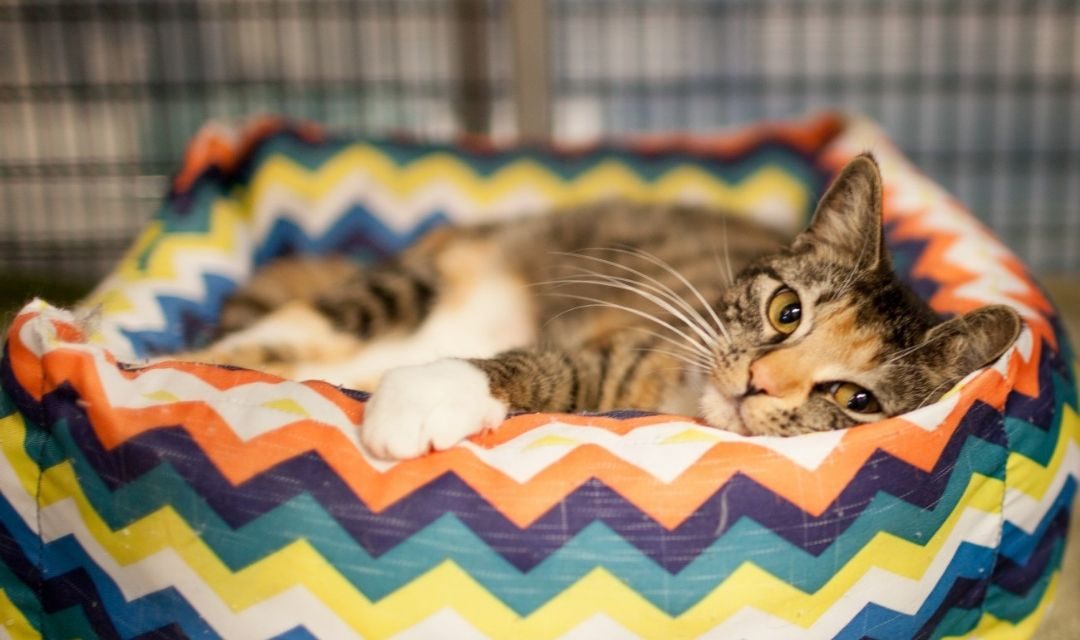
x: 768, y: 187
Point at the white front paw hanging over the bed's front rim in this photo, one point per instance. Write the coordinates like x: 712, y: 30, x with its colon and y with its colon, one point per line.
x: 428, y: 407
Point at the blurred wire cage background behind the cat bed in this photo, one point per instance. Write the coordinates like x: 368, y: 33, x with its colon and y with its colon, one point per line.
x: 99, y: 98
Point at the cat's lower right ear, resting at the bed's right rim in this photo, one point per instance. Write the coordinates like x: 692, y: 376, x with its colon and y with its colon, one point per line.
x: 962, y: 345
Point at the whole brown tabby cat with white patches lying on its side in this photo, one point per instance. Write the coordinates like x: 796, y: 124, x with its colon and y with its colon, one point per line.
x: 661, y: 308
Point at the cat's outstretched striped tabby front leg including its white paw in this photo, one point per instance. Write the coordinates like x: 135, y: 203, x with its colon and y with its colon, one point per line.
x: 435, y: 406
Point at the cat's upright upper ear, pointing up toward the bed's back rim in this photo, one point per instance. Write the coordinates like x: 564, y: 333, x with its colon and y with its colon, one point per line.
x: 848, y: 219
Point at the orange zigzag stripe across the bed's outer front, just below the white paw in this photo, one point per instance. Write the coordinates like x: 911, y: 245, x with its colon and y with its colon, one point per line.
x: 669, y: 503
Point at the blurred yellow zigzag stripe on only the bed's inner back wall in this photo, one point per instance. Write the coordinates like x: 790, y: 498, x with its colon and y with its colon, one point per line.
x: 607, y: 180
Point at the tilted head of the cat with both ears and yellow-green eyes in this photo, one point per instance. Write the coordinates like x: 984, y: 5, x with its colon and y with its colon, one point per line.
x: 825, y: 335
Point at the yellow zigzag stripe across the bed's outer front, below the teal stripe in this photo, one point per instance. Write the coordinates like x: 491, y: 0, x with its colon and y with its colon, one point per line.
x: 448, y: 585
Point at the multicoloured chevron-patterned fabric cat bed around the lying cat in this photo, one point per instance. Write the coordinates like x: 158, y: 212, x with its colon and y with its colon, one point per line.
x: 185, y: 500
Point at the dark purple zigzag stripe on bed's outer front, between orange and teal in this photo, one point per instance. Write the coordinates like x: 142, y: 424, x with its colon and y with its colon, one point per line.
x: 526, y: 548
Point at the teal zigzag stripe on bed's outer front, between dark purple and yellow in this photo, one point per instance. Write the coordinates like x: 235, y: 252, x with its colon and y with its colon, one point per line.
x: 575, y: 557
